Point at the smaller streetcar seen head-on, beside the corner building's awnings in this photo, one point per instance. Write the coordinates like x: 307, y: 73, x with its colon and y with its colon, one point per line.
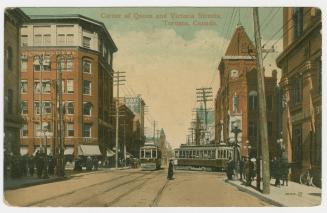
x: 150, y: 157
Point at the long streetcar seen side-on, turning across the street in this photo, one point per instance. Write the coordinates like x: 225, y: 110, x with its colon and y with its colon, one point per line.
x: 203, y: 157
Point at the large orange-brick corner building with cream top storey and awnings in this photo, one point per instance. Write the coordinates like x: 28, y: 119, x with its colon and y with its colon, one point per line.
x: 82, y: 50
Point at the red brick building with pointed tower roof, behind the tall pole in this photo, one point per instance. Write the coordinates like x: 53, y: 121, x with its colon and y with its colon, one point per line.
x: 236, y: 102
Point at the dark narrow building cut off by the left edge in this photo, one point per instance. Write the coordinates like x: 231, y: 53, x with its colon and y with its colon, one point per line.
x: 13, y: 19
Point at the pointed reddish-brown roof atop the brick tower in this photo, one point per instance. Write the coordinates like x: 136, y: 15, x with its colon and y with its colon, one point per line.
x: 240, y: 44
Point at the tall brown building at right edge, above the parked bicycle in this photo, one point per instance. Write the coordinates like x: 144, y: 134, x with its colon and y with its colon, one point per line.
x: 301, y: 84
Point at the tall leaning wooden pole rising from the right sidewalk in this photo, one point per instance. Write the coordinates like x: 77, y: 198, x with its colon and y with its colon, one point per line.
x: 262, y: 106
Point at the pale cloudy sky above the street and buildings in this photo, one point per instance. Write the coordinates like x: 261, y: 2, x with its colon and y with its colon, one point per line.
x: 168, y: 52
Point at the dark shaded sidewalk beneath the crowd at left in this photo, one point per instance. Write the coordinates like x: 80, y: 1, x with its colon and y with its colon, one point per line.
x: 28, y: 181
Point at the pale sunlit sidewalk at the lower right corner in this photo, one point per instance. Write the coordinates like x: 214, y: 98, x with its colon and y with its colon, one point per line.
x: 293, y: 195
